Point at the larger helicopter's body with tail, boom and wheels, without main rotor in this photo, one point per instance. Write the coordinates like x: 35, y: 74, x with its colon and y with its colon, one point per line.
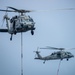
x: 18, y: 24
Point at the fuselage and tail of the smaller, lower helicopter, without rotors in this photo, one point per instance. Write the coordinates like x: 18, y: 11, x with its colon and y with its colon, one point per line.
x: 55, y: 56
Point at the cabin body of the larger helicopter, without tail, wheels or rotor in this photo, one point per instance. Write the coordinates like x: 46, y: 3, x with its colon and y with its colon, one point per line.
x: 21, y: 24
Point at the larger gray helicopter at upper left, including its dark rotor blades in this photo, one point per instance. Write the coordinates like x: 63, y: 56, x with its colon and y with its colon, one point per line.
x: 18, y: 23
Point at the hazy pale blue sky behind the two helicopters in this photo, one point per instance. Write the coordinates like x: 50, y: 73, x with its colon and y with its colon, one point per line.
x: 54, y: 28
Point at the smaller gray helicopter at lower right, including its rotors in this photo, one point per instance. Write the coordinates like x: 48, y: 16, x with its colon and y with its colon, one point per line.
x: 55, y: 55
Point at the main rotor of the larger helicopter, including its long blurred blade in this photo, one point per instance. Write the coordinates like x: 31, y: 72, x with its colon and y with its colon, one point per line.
x: 25, y: 11
